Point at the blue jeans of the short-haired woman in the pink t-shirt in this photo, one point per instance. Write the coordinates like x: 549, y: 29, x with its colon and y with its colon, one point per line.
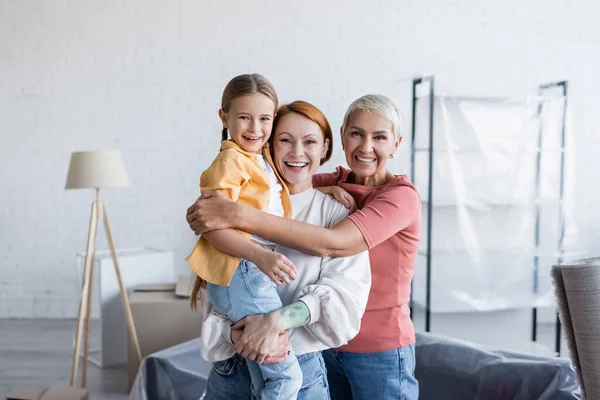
x: 384, y: 375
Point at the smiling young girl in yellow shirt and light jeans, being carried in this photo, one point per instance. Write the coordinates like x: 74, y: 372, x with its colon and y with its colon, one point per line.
x: 243, y: 170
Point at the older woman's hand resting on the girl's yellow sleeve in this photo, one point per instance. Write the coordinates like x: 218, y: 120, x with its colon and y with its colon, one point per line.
x: 212, y: 210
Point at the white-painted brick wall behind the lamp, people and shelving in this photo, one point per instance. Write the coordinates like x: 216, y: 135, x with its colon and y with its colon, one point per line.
x: 146, y: 77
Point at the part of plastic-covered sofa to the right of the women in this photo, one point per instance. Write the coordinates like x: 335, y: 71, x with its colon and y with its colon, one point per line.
x: 452, y: 369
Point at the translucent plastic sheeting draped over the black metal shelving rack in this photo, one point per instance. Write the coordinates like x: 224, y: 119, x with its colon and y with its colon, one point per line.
x: 496, y: 201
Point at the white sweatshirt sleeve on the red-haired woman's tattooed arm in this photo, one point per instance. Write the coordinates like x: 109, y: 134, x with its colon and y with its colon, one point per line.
x: 337, y: 301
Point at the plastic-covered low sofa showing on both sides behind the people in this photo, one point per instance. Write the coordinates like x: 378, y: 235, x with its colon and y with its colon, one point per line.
x: 446, y: 369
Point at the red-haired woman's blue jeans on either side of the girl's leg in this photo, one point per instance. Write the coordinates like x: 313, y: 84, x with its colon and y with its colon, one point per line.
x: 230, y: 379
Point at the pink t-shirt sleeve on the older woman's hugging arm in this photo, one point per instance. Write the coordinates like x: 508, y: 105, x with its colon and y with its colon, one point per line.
x: 388, y: 213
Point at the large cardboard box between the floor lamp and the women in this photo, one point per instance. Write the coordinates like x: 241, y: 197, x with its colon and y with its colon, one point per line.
x: 162, y: 318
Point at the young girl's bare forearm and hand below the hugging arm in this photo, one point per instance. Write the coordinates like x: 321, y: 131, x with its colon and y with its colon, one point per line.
x: 276, y: 266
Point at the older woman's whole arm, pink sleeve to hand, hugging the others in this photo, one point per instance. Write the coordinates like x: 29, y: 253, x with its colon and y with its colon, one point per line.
x: 387, y: 214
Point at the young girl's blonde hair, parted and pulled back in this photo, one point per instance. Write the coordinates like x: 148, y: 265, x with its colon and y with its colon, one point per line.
x: 243, y: 85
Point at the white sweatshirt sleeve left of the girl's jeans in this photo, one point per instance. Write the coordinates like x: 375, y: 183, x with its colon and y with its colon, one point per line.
x: 215, y: 337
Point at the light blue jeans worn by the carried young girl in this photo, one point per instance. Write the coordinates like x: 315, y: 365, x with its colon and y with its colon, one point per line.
x: 251, y: 292
